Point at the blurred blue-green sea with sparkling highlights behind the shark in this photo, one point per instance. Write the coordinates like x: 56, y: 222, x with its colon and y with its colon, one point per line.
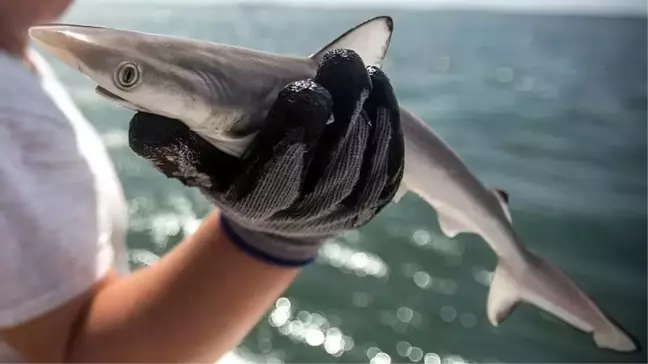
x: 547, y: 100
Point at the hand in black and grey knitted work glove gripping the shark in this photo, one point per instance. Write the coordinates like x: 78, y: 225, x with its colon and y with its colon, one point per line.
x: 328, y: 158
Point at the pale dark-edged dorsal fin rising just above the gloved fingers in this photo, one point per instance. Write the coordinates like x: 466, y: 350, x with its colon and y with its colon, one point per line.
x: 369, y: 39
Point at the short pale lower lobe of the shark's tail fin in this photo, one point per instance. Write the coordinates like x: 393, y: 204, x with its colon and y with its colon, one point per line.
x: 502, y: 297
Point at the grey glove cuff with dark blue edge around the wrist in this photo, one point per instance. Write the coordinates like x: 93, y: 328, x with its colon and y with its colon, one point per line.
x: 273, y: 249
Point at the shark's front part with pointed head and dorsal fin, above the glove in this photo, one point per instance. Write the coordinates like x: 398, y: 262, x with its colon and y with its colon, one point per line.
x: 221, y: 92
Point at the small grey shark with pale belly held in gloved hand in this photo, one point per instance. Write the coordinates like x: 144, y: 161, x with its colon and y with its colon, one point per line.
x: 222, y: 92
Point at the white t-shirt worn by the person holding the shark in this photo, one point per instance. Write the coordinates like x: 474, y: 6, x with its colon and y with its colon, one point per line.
x: 62, y: 210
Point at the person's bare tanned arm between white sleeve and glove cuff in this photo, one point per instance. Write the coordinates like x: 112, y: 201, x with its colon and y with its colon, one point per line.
x: 195, y: 304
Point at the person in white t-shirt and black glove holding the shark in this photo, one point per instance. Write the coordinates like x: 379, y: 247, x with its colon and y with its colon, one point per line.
x: 329, y: 158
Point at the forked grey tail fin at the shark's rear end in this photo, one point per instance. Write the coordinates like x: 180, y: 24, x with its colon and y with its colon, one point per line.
x: 544, y: 286
